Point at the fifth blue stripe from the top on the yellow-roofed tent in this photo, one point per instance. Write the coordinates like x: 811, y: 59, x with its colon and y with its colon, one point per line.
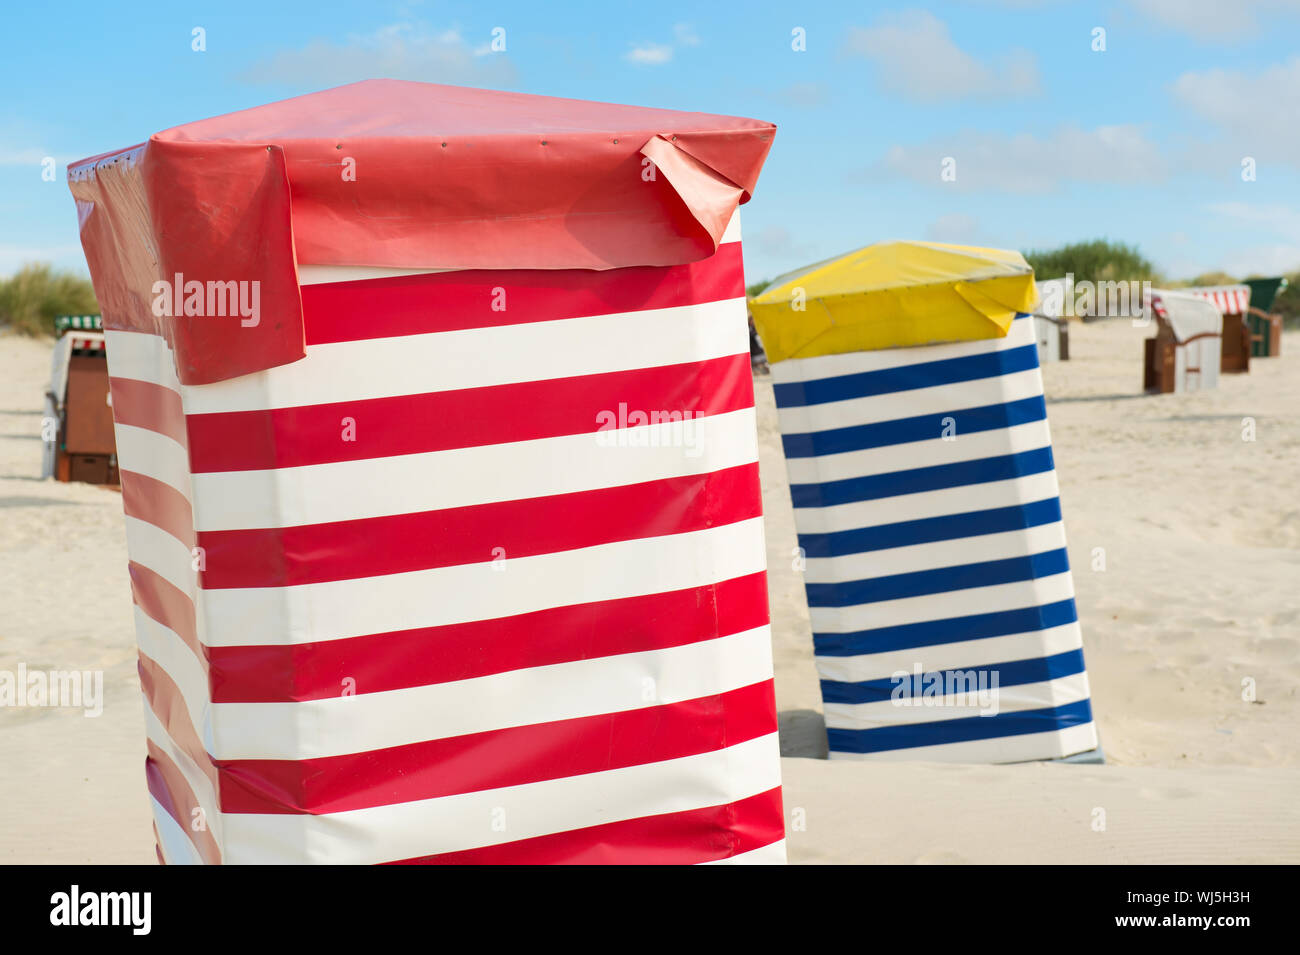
x: 943, y: 580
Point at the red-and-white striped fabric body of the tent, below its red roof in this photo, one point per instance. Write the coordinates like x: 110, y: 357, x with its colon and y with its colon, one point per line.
x: 480, y: 580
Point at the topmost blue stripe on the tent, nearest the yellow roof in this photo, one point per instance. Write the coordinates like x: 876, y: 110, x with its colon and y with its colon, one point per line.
x: 908, y: 377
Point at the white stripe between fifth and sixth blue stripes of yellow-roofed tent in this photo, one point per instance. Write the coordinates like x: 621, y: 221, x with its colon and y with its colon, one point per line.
x: 954, y: 604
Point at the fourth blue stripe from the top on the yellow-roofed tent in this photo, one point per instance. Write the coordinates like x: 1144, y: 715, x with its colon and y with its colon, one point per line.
x: 930, y: 529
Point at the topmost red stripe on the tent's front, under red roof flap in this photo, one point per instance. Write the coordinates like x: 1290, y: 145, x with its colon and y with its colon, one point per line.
x: 453, y: 301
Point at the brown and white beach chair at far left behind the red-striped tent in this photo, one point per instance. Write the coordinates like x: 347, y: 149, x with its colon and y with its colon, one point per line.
x: 79, y: 410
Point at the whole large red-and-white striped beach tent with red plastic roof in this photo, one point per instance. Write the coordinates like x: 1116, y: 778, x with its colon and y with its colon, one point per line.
x: 444, y: 524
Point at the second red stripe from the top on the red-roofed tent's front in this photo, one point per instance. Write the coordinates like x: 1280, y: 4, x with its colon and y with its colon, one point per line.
x: 466, y: 418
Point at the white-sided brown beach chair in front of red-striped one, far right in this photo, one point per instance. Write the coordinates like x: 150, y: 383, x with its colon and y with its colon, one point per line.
x: 1184, y: 355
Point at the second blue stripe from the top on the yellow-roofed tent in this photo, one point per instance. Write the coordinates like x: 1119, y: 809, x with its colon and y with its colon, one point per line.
x: 989, y: 418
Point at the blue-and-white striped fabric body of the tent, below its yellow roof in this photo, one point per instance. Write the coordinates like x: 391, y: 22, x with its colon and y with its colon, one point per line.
x: 928, y: 510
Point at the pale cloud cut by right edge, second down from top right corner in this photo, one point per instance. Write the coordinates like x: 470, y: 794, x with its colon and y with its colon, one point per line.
x: 1258, y: 111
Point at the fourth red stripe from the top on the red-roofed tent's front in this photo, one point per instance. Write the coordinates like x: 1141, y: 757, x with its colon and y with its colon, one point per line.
x: 395, y: 661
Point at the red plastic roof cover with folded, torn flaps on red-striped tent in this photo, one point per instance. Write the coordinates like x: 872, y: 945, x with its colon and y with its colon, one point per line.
x: 398, y: 175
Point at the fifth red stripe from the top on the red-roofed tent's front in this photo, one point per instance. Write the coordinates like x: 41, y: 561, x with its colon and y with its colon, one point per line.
x: 513, y: 757
